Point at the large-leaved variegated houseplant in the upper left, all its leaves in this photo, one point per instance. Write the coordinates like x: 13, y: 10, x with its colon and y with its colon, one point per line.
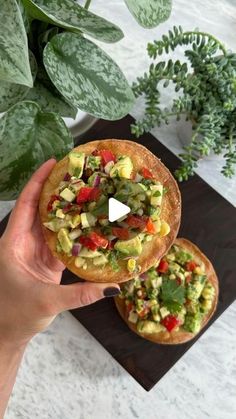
x: 48, y: 69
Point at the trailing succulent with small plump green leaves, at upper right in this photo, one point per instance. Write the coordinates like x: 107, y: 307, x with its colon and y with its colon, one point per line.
x: 207, y: 96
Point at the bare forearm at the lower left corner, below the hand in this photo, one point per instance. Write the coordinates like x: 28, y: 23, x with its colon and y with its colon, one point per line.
x: 10, y: 359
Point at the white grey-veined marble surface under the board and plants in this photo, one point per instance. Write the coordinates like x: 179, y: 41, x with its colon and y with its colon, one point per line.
x: 66, y: 373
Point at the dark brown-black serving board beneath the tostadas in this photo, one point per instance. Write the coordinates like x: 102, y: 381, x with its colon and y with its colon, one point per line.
x: 208, y: 220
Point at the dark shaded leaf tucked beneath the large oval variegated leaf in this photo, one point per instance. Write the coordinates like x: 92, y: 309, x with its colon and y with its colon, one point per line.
x: 49, y: 101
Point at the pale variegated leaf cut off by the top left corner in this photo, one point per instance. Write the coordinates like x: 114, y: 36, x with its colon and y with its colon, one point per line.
x: 14, y: 57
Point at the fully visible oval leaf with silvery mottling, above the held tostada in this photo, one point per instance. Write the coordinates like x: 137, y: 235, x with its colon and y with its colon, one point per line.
x: 87, y: 77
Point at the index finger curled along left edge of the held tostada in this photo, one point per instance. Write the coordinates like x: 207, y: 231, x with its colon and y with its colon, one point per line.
x: 23, y: 214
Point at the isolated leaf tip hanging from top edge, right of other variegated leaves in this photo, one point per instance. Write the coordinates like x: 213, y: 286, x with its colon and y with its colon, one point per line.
x: 150, y: 13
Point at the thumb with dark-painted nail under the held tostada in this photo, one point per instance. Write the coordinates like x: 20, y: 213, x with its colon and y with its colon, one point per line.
x: 80, y: 294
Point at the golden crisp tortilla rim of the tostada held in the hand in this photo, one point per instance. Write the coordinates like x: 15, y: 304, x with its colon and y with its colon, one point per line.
x: 171, y: 210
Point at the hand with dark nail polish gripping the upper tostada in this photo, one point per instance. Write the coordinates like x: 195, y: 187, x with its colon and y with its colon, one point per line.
x: 30, y: 291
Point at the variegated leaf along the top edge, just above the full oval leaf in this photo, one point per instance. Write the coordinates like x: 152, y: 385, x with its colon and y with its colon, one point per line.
x: 70, y: 15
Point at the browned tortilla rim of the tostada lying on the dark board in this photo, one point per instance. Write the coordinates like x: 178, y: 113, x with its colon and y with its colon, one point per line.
x: 180, y: 336
